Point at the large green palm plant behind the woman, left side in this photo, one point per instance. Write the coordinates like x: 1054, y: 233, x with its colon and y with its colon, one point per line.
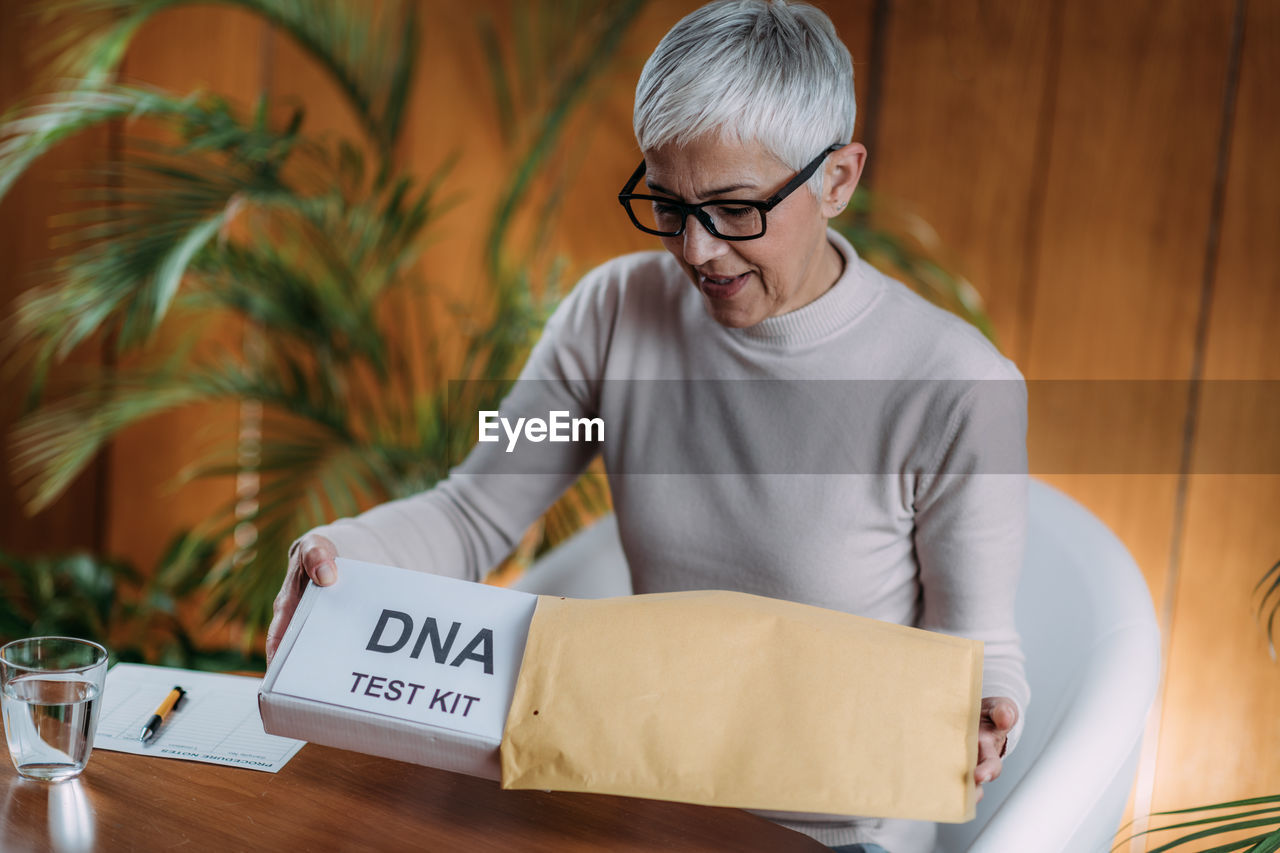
x: 310, y: 244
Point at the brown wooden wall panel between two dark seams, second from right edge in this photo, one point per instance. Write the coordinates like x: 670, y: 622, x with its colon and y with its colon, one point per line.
x: 1121, y: 259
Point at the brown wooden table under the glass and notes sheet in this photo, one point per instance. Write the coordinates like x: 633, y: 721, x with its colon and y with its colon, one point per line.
x: 332, y: 800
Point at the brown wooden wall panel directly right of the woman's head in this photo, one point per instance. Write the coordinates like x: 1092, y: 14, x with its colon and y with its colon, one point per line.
x: 959, y: 143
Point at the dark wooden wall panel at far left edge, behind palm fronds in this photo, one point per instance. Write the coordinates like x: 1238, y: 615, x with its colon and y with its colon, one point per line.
x: 76, y: 521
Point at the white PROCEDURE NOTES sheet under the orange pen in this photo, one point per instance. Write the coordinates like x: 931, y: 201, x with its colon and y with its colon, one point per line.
x: 217, y: 723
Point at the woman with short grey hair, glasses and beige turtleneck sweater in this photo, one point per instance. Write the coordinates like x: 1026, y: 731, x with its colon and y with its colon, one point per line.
x: 746, y: 115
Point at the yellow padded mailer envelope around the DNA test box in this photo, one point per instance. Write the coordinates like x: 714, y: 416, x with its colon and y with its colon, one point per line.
x: 733, y: 700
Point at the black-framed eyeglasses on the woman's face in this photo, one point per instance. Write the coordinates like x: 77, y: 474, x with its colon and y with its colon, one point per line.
x: 725, y: 218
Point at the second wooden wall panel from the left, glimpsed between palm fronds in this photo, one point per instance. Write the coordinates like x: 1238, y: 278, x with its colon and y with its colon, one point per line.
x: 212, y: 49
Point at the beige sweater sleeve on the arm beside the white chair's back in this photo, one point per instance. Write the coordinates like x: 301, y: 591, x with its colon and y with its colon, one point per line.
x: 971, y: 532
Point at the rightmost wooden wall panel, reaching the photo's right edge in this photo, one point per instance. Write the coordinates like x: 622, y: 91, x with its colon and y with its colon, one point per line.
x: 1220, y: 740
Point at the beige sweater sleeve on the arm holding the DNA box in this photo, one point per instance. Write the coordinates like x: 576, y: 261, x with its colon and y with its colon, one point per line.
x: 467, y: 524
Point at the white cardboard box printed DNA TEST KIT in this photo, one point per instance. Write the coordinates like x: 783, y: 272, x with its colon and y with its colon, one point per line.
x: 401, y: 664
